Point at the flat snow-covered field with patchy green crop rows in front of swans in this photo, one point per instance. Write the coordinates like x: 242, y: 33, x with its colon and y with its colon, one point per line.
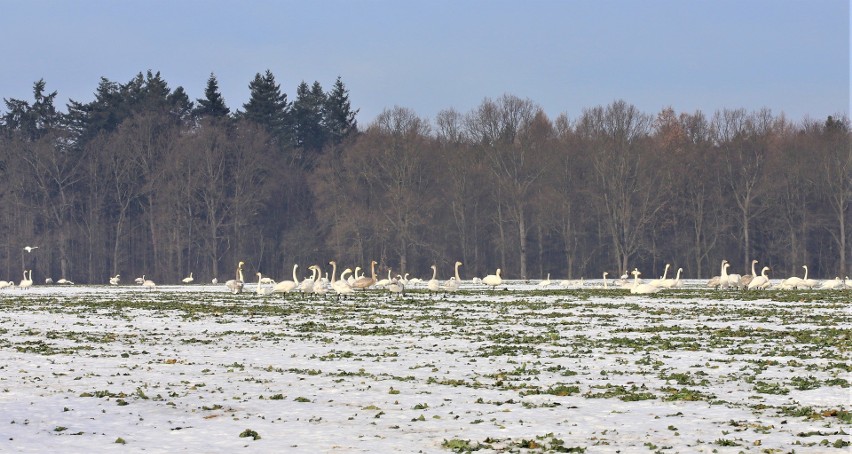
x: 521, y: 369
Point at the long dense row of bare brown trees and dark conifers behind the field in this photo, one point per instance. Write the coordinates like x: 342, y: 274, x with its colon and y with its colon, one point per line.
x: 143, y: 180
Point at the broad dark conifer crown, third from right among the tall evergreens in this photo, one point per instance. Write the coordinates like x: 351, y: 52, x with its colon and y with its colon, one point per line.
x: 269, y: 108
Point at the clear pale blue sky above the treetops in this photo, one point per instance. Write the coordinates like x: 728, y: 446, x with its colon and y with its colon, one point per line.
x: 791, y: 56
